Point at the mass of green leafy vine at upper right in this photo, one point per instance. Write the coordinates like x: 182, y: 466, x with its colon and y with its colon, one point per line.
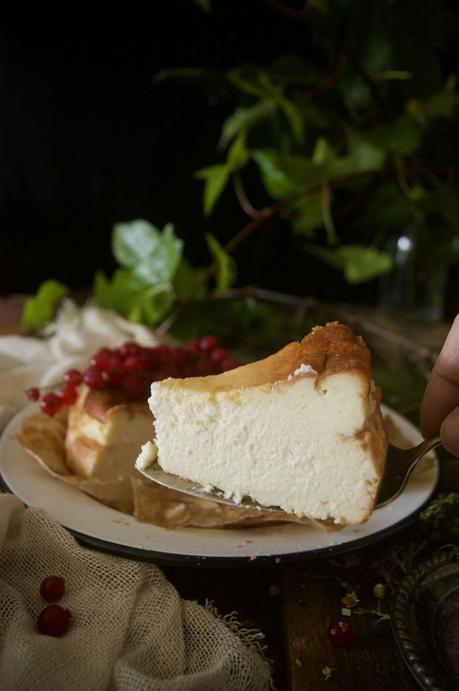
x: 359, y: 134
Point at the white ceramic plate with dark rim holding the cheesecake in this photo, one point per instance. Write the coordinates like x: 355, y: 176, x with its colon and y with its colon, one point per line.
x: 109, y: 530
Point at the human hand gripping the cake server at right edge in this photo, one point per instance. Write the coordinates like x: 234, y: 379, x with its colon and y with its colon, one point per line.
x: 440, y: 405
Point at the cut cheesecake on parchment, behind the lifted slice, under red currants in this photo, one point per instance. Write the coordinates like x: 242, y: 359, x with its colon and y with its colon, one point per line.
x: 104, y: 433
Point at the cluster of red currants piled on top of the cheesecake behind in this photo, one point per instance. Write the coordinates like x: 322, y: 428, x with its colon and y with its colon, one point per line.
x: 131, y: 368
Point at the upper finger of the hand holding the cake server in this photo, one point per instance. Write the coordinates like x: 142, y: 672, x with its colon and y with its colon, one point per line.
x: 442, y: 392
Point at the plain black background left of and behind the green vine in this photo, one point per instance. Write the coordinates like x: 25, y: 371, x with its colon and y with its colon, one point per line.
x: 87, y: 139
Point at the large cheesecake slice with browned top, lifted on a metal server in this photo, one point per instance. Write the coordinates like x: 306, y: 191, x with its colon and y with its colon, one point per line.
x: 301, y: 429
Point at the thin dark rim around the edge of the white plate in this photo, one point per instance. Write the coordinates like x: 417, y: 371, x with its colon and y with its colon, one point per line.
x: 198, y: 560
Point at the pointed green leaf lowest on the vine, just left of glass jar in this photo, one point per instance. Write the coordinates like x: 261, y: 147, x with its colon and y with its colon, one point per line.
x: 358, y: 263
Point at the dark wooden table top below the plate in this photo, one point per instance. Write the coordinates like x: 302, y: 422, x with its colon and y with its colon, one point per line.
x: 293, y: 605
